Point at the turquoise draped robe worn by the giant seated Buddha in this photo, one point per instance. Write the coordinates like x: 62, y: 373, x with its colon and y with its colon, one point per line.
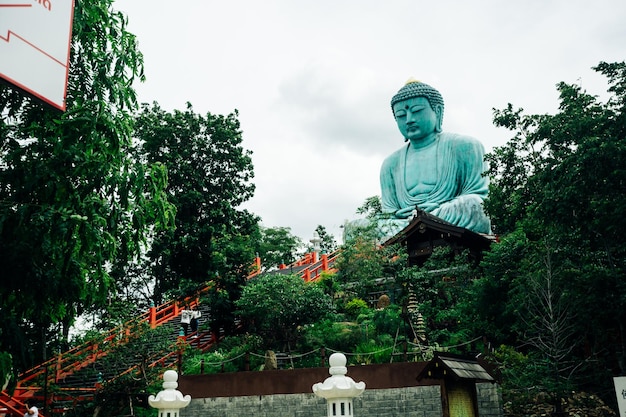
x: 459, y: 190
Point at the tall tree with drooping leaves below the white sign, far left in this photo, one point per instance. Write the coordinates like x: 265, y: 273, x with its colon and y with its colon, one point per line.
x: 73, y: 197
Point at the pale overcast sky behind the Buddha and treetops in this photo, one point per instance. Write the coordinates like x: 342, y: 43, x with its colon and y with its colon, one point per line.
x: 312, y: 80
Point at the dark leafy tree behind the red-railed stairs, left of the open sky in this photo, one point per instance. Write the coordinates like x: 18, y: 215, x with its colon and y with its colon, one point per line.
x: 209, y: 174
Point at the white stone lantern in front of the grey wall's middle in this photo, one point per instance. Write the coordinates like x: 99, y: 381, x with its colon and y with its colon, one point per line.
x: 338, y: 389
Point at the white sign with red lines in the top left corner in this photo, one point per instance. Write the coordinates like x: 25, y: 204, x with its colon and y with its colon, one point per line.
x: 35, y: 38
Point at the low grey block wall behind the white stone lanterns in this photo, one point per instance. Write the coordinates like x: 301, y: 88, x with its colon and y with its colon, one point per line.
x: 420, y: 401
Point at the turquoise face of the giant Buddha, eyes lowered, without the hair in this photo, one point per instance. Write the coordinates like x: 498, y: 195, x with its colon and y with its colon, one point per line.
x: 416, y: 119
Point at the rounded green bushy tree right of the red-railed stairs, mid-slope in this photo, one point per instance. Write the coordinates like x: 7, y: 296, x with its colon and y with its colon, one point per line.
x: 276, y: 305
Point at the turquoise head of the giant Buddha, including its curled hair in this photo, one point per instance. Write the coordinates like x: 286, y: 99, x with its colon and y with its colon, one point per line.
x: 419, y: 100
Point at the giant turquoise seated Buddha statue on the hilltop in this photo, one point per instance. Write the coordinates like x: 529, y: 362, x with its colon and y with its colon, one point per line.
x: 440, y: 173
